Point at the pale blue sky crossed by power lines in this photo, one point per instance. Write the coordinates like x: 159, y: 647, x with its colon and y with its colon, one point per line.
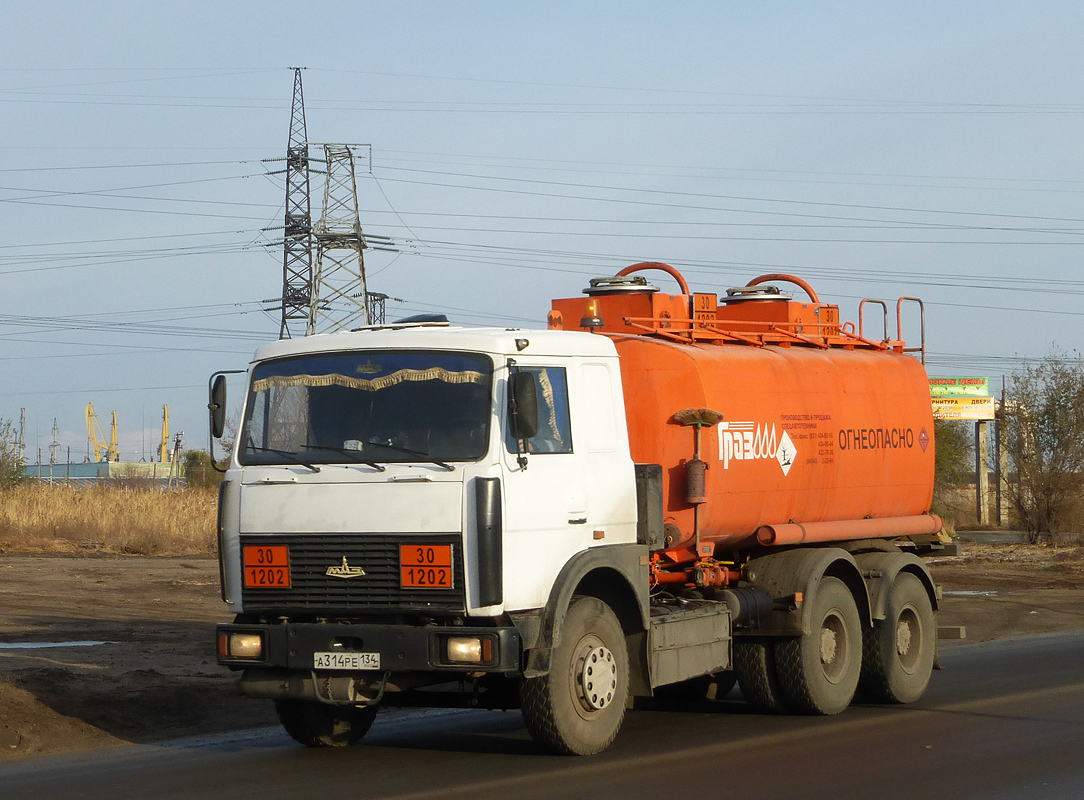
x: 877, y: 150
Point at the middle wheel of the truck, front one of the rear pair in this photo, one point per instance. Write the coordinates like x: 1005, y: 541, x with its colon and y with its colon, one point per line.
x: 820, y: 672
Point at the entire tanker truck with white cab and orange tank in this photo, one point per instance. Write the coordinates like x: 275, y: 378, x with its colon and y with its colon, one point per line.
x: 662, y: 494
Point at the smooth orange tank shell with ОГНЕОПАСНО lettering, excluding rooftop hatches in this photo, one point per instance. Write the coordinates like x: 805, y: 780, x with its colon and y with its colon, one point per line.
x: 807, y: 435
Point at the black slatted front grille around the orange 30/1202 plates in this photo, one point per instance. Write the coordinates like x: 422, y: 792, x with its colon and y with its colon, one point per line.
x: 314, y: 590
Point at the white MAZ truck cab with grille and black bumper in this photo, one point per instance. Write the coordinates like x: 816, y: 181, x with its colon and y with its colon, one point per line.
x: 383, y: 520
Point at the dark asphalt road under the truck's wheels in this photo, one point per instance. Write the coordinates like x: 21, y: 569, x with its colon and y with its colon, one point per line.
x: 1003, y: 720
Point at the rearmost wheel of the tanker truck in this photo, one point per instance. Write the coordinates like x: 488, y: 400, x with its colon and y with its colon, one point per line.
x: 899, y: 651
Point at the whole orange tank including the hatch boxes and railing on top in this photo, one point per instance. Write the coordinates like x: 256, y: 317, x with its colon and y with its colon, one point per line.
x: 818, y: 424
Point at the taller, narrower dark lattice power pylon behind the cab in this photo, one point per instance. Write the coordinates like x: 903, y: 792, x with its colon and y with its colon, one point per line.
x: 298, y: 238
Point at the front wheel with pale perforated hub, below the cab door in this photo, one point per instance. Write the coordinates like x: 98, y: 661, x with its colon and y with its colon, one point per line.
x: 577, y: 709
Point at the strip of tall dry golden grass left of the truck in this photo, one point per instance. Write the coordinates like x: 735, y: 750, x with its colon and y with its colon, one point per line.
x: 107, y: 520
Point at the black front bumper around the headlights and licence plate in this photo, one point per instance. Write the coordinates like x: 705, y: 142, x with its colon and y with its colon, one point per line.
x: 402, y: 649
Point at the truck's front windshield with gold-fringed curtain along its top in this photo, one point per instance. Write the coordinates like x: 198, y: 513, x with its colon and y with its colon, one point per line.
x: 369, y: 407
